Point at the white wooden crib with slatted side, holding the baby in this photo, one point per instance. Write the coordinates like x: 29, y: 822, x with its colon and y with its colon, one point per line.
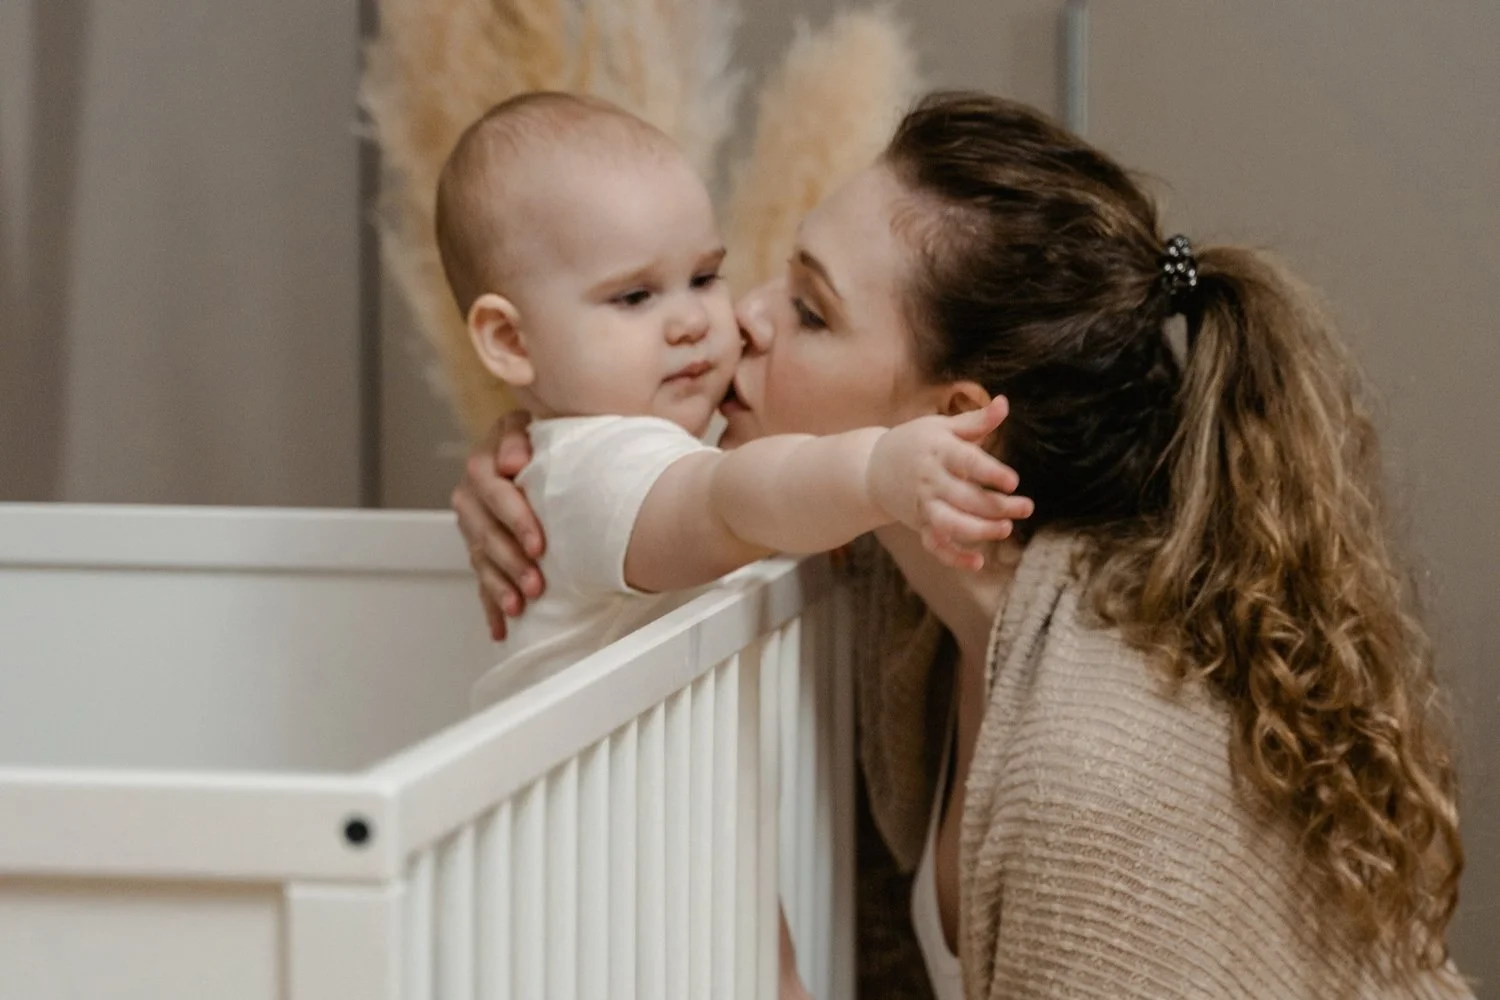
x: 238, y: 762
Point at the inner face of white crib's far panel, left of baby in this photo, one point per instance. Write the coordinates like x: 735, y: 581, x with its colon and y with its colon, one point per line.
x: 221, y: 639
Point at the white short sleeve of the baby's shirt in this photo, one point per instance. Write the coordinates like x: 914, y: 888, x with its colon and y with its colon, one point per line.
x: 598, y: 478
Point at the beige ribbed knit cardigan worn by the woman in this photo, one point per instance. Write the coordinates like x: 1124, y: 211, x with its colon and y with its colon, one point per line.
x: 1106, y: 851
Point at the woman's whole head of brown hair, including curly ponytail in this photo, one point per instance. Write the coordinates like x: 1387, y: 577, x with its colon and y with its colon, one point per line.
x: 1234, y: 494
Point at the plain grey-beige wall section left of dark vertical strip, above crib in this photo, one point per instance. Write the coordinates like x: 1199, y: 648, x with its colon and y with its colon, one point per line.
x: 179, y: 233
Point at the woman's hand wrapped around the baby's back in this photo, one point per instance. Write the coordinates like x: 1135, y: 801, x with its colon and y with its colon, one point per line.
x: 503, y: 534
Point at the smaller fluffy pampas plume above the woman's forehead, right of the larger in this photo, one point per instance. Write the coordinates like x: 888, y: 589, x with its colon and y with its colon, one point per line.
x: 826, y: 115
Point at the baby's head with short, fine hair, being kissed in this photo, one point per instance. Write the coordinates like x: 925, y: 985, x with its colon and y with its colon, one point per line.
x: 584, y: 254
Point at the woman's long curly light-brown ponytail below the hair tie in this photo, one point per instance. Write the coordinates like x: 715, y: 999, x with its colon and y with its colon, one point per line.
x: 1271, y: 578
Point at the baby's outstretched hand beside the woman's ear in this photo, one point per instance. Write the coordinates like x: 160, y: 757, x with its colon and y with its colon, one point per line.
x: 934, y: 476
